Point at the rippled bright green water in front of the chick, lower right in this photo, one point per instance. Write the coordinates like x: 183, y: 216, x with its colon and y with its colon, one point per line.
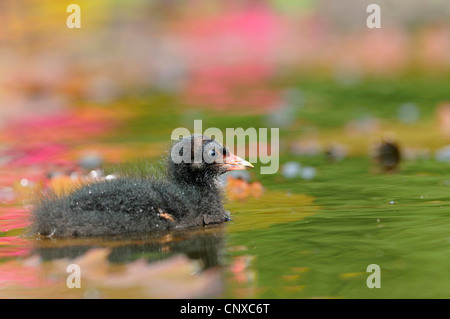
x: 400, y: 222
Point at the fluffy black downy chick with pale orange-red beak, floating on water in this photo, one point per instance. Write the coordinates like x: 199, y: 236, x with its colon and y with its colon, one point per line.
x: 190, y: 195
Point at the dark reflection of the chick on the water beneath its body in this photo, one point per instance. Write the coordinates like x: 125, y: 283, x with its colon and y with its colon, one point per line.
x: 204, y: 244
